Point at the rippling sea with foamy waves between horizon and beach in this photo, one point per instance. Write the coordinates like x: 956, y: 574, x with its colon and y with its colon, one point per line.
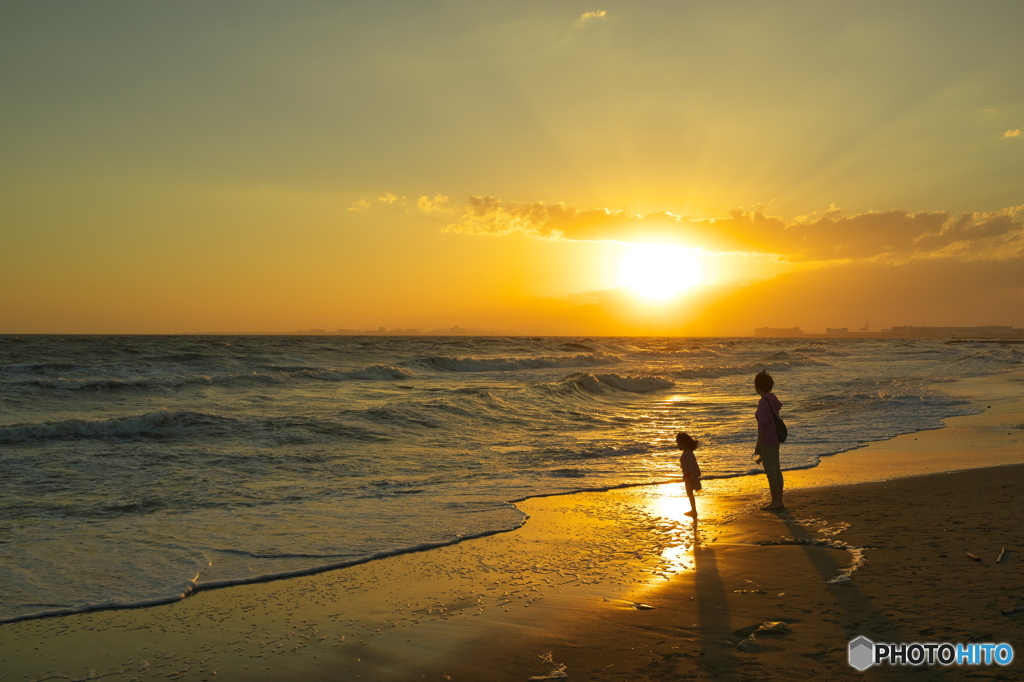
x: 136, y: 468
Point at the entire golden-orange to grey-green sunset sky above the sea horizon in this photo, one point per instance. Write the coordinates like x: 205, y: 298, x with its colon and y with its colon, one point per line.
x: 243, y: 165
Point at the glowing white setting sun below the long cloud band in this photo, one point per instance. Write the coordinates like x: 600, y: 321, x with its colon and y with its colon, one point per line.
x: 659, y: 272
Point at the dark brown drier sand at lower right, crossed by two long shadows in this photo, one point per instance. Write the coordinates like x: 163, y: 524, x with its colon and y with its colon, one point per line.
x: 918, y: 583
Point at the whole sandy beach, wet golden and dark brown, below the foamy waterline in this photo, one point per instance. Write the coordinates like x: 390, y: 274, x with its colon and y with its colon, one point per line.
x: 622, y: 586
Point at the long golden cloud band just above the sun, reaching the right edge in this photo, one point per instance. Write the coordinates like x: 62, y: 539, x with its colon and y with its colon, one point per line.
x: 894, y: 236
